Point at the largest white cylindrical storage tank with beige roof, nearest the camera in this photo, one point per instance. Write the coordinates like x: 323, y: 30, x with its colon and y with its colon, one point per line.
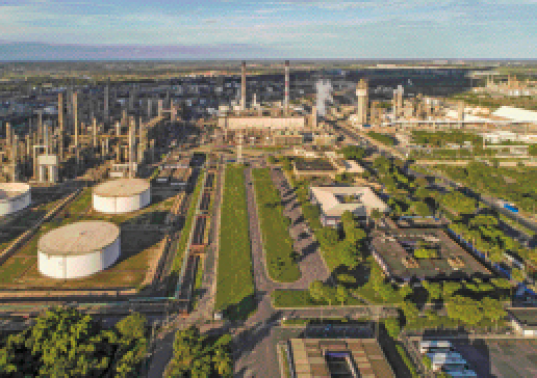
x: 78, y: 249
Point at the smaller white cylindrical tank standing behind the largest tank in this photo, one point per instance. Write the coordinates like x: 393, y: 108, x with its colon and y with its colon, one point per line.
x: 121, y: 196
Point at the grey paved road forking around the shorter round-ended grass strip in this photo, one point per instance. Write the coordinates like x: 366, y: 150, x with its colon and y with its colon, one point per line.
x: 255, y: 352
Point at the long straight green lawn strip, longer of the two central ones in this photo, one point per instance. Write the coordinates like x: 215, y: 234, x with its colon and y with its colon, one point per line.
x: 235, y: 286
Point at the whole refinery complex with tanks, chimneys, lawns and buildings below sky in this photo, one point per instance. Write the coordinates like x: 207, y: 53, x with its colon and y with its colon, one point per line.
x: 334, y: 222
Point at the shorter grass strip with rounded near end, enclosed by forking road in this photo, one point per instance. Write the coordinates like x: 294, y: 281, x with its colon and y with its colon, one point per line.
x: 274, y: 227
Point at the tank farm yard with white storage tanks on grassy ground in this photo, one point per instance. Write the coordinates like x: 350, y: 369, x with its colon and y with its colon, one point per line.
x: 115, y: 240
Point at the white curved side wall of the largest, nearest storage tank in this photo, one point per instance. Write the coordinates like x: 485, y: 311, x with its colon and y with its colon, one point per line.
x: 76, y: 266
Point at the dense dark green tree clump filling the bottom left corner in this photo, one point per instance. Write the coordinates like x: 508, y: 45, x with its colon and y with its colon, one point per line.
x: 66, y: 343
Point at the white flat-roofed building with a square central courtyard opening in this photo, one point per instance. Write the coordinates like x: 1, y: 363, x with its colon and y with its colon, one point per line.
x: 335, y: 200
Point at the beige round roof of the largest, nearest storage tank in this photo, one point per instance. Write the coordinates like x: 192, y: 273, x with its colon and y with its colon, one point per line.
x: 79, y: 238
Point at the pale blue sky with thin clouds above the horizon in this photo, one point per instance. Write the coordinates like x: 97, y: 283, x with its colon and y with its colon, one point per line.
x: 236, y: 29
